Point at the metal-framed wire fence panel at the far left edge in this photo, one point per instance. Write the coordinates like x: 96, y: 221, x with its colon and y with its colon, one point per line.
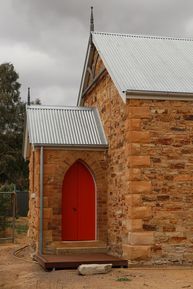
x: 7, y: 216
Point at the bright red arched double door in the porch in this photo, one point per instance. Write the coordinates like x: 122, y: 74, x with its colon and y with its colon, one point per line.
x: 78, y: 204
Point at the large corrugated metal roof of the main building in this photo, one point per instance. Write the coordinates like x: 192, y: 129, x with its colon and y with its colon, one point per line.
x: 147, y: 63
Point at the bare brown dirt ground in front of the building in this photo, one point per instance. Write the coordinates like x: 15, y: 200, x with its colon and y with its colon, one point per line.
x: 22, y: 273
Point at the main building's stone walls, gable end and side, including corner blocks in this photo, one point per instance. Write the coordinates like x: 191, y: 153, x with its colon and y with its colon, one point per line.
x: 150, y: 169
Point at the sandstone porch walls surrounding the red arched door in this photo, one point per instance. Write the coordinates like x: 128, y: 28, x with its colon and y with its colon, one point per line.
x: 56, y: 164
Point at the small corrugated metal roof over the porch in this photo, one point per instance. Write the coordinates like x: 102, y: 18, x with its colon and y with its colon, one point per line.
x: 65, y: 126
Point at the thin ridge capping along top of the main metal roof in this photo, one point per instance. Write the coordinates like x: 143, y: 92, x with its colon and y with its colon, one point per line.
x: 144, y: 36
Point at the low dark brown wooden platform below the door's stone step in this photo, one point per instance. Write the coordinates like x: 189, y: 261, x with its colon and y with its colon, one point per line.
x: 49, y: 262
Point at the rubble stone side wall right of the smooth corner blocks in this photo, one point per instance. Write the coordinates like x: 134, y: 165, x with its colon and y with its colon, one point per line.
x: 166, y: 144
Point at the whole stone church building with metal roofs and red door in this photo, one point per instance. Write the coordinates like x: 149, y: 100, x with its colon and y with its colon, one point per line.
x: 115, y: 172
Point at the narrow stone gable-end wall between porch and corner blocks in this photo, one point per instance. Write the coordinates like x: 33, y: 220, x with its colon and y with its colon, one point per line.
x: 113, y: 114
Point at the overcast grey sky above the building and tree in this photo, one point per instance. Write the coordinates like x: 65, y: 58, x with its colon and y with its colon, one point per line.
x: 46, y: 40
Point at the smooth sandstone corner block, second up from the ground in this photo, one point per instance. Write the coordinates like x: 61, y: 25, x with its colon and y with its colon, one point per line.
x: 141, y: 238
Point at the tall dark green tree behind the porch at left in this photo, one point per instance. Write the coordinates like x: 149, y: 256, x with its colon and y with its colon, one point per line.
x: 13, y: 169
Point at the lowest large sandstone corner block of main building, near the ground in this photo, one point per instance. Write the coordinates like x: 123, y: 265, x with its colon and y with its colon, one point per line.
x: 136, y: 252
